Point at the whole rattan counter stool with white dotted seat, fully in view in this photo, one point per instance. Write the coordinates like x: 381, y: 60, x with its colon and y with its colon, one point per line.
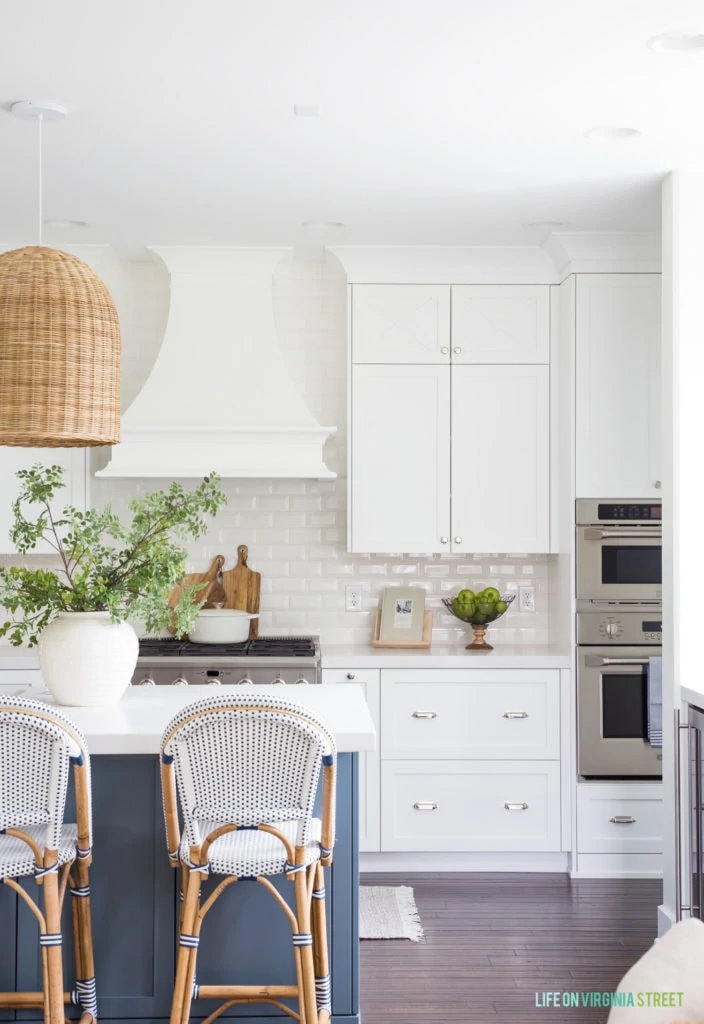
x: 246, y: 771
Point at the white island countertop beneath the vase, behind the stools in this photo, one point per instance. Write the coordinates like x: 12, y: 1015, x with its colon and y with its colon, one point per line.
x: 137, y: 724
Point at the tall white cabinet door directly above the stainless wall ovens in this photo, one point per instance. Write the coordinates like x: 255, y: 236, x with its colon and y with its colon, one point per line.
x: 619, y: 380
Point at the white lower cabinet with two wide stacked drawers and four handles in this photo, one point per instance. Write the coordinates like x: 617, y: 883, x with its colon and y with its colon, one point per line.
x: 471, y: 760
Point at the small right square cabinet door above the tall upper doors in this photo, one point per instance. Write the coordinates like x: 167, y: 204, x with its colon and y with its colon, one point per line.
x: 501, y: 324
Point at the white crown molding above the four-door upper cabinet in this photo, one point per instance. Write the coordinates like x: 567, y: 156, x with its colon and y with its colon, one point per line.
x: 447, y: 265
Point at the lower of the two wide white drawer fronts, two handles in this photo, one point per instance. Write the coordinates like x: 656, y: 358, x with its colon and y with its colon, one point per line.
x: 470, y: 805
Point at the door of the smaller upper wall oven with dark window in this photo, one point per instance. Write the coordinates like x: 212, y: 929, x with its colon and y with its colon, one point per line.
x: 615, y: 566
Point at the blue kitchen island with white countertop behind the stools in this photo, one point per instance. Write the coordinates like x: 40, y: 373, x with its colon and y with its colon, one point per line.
x: 136, y: 892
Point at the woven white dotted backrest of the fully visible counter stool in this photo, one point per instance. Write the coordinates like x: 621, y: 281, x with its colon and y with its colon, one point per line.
x: 246, y: 761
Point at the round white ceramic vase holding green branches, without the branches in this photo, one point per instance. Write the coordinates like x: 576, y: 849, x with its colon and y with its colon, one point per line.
x: 86, y: 659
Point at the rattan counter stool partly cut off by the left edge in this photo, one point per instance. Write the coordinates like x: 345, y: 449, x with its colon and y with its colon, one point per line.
x: 38, y: 746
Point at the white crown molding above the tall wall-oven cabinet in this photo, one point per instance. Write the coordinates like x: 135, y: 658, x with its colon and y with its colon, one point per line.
x: 604, y: 252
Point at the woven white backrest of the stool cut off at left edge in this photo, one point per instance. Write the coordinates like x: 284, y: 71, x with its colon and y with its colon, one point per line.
x: 38, y: 746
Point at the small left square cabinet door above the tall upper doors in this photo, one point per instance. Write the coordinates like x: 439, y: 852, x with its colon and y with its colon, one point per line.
x: 402, y: 324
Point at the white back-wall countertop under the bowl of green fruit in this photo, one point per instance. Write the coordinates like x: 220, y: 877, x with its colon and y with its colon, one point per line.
x: 446, y: 657
